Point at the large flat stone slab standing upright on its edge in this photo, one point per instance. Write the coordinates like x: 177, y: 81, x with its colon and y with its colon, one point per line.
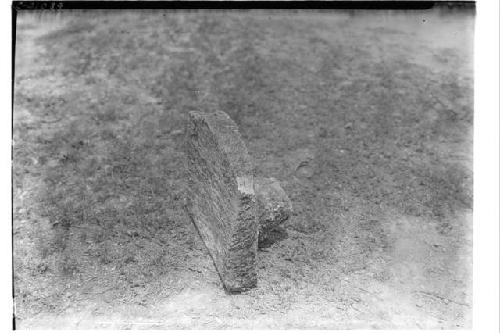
x: 221, y: 199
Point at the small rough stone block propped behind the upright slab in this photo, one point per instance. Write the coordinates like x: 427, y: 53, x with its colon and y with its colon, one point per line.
x: 273, y: 206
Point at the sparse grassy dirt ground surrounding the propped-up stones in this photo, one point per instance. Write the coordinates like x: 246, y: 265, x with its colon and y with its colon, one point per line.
x: 365, y: 118
